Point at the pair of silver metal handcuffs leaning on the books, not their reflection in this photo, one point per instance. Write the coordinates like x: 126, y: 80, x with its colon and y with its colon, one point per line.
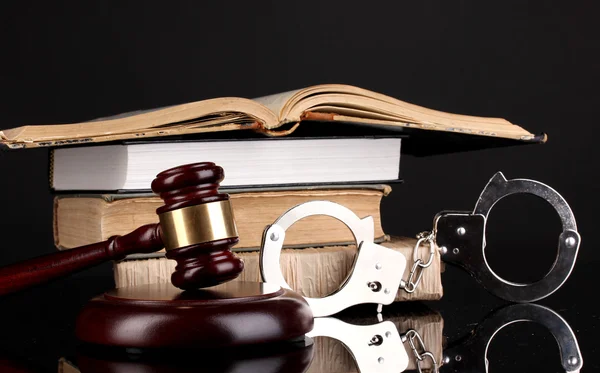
x: 377, y: 270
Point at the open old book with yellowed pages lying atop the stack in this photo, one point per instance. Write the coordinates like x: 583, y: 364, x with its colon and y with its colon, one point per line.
x: 275, y: 115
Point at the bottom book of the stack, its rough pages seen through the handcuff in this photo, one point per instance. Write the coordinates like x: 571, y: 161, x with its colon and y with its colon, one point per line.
x: 313, y: 272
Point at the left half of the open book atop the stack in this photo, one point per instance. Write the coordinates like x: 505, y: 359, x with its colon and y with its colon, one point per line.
x: 219, y: 114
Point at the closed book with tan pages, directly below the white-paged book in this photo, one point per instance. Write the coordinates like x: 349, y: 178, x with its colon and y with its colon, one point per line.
x: 84, y: 219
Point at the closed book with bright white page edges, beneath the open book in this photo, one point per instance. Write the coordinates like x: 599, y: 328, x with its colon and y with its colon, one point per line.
x: 253, y: 162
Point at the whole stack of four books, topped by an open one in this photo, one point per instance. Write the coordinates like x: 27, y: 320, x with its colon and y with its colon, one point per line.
x: 348, y: 151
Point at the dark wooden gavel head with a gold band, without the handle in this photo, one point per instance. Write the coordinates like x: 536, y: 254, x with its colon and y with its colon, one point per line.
x: 197, y: 225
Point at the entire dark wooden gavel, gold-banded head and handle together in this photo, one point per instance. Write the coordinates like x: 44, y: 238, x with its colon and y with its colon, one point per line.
x: 196, y: 227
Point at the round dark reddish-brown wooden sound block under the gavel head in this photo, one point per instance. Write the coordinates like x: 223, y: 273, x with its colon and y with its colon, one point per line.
x: 162, y: 316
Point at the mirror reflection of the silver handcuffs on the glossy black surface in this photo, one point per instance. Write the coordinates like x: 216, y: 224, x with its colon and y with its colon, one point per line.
x: 379, y: 347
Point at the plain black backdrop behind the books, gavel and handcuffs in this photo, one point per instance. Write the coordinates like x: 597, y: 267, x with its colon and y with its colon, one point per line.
x: 533, y: 63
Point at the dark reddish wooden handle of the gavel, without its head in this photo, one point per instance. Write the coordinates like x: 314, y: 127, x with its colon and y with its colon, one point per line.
x: 19, y: 276
